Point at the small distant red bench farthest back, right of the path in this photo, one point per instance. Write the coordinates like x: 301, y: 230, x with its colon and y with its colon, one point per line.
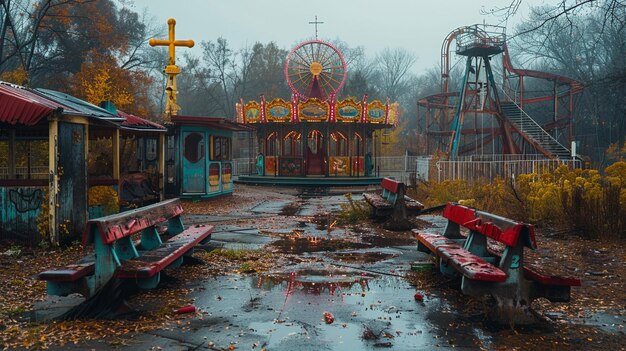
x: 393, y: 200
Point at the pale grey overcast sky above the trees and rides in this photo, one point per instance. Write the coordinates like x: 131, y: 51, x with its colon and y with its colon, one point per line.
x: 419, y: 26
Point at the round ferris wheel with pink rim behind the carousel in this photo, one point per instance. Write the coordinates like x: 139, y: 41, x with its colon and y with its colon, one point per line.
x: 315, y: 69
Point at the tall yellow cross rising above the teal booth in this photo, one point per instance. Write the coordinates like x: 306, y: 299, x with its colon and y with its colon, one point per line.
x: 171, y: 108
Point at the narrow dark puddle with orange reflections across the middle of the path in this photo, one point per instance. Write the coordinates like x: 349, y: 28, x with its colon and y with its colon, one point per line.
x: 297, y: 245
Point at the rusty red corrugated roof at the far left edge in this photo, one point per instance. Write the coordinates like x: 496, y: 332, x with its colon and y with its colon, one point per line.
x: 19, y: 105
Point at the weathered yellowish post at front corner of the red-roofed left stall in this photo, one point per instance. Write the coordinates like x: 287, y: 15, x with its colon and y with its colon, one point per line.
x: 53, y: 180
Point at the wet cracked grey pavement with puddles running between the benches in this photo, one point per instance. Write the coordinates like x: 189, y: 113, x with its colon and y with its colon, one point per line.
x: 357, y: 275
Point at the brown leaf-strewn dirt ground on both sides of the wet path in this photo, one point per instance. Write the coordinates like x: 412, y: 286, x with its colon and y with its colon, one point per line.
x: 593, y: 320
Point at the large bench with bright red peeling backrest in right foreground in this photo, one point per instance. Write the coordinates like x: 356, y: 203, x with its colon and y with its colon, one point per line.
x: 490, y: 259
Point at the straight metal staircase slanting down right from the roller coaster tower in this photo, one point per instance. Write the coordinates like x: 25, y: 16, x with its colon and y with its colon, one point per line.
x: 533, y: 133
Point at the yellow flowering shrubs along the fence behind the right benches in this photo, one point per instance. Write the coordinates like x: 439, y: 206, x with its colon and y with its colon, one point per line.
x: 586, y: 201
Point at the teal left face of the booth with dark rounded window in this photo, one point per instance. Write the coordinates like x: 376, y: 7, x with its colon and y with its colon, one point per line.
x: 194, y: 165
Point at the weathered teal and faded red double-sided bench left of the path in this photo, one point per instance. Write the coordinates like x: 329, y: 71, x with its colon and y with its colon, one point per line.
x: 118, y: 252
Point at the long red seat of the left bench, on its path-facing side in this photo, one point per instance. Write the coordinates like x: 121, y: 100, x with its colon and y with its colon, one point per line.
x: 149, y: 263
